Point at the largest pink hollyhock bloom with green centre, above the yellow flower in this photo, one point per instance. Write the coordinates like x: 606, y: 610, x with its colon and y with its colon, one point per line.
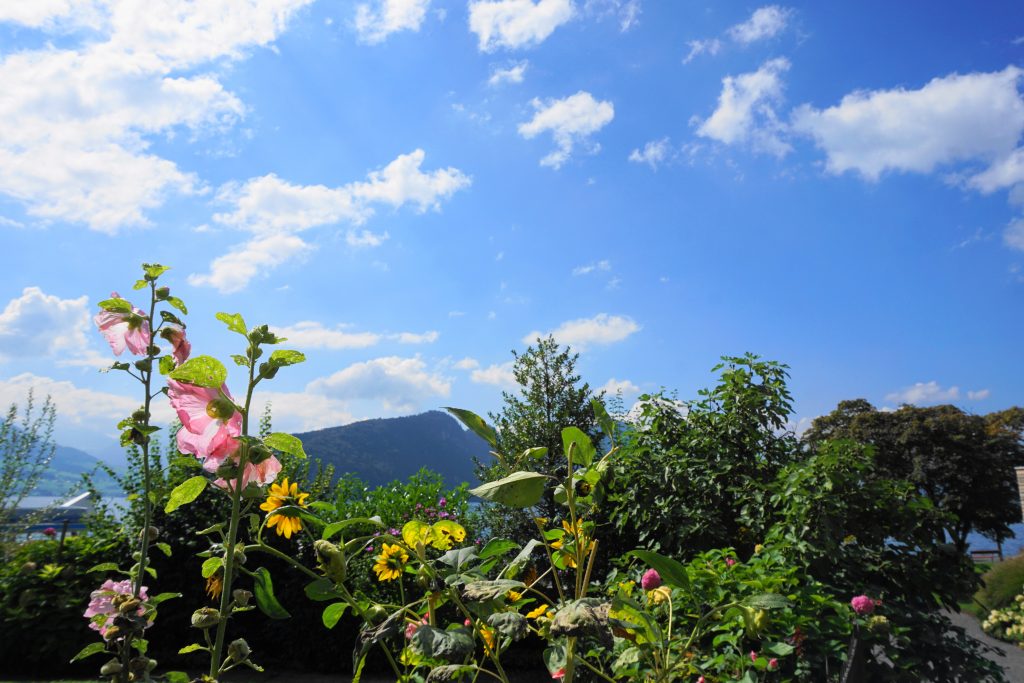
x: 208, y: 416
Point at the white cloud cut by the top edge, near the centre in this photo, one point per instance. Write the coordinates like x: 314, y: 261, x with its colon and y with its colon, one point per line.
x: 515, y: 24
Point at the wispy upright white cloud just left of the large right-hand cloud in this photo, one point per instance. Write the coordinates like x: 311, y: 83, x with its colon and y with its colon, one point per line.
x: 747, y: 110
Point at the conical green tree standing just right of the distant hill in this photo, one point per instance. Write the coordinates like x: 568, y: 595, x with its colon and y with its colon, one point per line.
x: 551, y: 397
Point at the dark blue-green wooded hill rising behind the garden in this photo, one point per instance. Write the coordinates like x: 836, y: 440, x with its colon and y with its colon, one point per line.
x: 388, y: 449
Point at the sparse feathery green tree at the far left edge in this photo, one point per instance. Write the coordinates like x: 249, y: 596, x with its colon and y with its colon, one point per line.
x: 26, y: 451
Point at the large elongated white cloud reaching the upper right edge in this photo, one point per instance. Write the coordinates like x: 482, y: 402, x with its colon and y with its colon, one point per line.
x: 976, y: 117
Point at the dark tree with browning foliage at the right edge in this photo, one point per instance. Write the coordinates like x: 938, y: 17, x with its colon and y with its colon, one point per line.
x: 964, y: 463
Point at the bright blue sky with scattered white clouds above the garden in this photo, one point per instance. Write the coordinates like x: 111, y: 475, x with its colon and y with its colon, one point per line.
x: 411, y: 189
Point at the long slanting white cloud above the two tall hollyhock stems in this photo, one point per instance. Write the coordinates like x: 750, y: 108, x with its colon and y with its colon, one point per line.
x: 275, y: 210
